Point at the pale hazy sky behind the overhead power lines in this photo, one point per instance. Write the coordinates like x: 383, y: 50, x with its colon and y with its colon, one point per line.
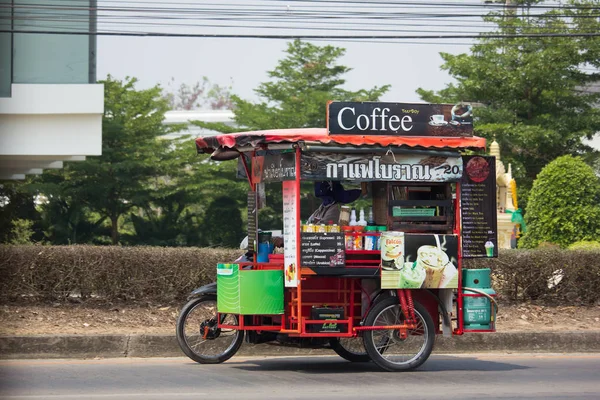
x: 244, y: 63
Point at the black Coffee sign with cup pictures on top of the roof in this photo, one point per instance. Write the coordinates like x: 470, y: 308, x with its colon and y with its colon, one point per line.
x: 402, y: 119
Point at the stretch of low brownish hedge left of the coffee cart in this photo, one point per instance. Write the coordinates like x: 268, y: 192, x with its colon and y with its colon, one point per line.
x: 110, y: 273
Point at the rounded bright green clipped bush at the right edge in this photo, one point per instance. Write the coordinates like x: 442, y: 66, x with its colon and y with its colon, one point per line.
x: 564, y: 206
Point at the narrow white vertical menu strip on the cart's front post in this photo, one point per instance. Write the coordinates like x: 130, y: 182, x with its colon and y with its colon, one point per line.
x: 290, y: 235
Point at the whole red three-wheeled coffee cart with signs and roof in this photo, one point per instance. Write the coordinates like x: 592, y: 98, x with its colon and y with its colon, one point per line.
x: 382, y: 292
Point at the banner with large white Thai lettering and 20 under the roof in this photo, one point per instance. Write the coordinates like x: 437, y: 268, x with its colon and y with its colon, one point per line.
x: 409, y: 168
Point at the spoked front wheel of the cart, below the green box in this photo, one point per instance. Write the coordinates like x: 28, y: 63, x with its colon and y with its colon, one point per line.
x: 199, y: 336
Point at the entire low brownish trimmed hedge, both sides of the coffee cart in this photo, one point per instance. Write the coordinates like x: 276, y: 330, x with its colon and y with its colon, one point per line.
x: 156, y: 274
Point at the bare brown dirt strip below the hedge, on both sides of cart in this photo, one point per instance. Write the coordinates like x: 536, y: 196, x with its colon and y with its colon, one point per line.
x: 87, y: 318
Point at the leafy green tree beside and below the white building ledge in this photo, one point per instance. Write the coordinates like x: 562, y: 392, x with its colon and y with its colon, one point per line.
x: 107, y: 187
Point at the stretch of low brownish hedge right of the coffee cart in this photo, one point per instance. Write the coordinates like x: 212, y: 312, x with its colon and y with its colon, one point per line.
x: 550, y: 274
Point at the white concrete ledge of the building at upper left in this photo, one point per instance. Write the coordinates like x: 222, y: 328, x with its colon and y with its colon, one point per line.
x: 43, y: 125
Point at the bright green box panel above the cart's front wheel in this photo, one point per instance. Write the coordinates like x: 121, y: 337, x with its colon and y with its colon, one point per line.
x: 249, y: 292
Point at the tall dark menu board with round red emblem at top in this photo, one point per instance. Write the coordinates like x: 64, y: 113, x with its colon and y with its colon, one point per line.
x: 478, y: 207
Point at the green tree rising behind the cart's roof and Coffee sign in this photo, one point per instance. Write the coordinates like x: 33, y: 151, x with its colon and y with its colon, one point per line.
x: 295, y: 97
